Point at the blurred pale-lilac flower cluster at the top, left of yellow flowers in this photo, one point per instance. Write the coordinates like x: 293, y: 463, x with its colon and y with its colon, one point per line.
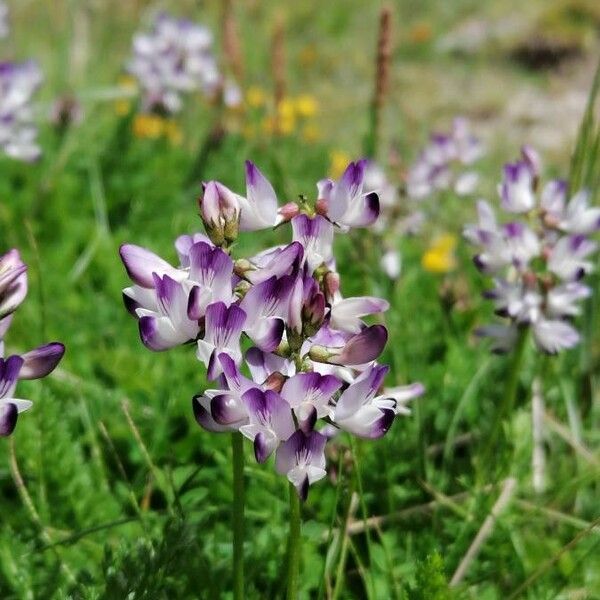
x: 176, y: 57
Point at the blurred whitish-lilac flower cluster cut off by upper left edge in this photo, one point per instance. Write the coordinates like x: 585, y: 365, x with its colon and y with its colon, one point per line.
x: 18, y: 134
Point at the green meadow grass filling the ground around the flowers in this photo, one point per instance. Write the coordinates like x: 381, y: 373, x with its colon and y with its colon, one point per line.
x: 109, y: 489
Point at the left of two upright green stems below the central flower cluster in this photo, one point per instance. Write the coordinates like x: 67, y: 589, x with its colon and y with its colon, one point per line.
x: 237, y: 446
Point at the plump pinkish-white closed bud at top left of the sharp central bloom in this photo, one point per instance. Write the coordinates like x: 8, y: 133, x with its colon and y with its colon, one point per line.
x: 220, y: 213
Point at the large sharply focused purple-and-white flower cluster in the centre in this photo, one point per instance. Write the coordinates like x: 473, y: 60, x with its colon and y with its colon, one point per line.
x: 310, y: 361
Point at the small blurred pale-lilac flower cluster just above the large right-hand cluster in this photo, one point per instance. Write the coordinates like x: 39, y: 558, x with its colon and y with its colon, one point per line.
x: 445, y: 163
